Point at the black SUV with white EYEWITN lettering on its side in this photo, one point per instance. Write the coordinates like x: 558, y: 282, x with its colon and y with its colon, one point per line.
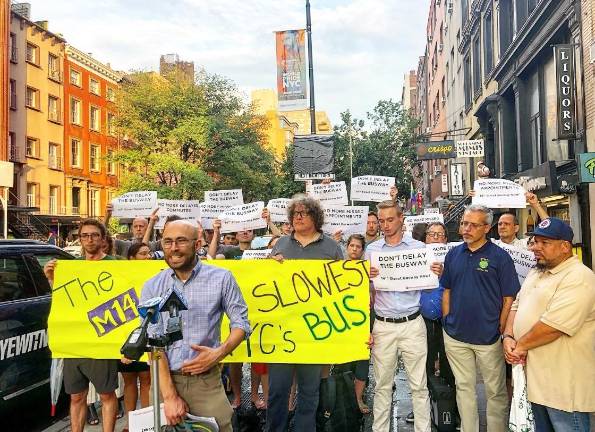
x: 24, y: 308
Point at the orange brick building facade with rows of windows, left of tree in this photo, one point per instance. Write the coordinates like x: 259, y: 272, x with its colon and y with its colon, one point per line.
x: 90, y: 138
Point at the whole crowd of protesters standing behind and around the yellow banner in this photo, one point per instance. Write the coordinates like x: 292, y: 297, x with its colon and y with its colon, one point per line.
x: 478, y: 319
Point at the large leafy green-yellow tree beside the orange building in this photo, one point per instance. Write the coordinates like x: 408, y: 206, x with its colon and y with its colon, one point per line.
x: 183, y: 137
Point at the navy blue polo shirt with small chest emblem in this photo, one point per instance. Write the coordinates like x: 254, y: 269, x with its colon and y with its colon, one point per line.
x: 478, y: 282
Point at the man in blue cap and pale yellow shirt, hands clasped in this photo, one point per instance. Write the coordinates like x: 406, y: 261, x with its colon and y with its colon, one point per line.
x: 551, y: 327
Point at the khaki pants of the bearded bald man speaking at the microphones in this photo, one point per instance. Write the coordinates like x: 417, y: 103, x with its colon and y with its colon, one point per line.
x: 205, y: 396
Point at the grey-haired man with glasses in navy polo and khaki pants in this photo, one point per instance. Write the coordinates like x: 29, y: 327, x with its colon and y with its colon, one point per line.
x: 480, y: 283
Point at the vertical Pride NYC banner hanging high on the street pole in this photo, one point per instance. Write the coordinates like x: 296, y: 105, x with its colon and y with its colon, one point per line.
x: 291, y: 70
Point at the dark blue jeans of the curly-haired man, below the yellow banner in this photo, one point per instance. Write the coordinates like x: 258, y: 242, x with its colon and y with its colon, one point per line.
x: 280, y: 380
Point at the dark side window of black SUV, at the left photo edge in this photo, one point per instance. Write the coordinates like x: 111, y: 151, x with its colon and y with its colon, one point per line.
x: 15, y: 280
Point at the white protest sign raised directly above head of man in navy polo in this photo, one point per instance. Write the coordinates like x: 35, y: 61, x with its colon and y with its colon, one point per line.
x: 499, y: 193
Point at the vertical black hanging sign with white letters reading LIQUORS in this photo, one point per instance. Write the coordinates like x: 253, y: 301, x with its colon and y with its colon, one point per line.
x: 564, y: 55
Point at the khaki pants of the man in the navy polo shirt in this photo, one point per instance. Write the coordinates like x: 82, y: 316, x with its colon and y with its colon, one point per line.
x: 490, y: 358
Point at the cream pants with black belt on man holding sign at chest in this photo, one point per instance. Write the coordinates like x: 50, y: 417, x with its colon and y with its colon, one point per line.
x: 410, y: 340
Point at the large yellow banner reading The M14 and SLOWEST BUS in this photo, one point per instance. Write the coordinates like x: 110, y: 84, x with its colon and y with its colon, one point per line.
x: 302, y: 311
